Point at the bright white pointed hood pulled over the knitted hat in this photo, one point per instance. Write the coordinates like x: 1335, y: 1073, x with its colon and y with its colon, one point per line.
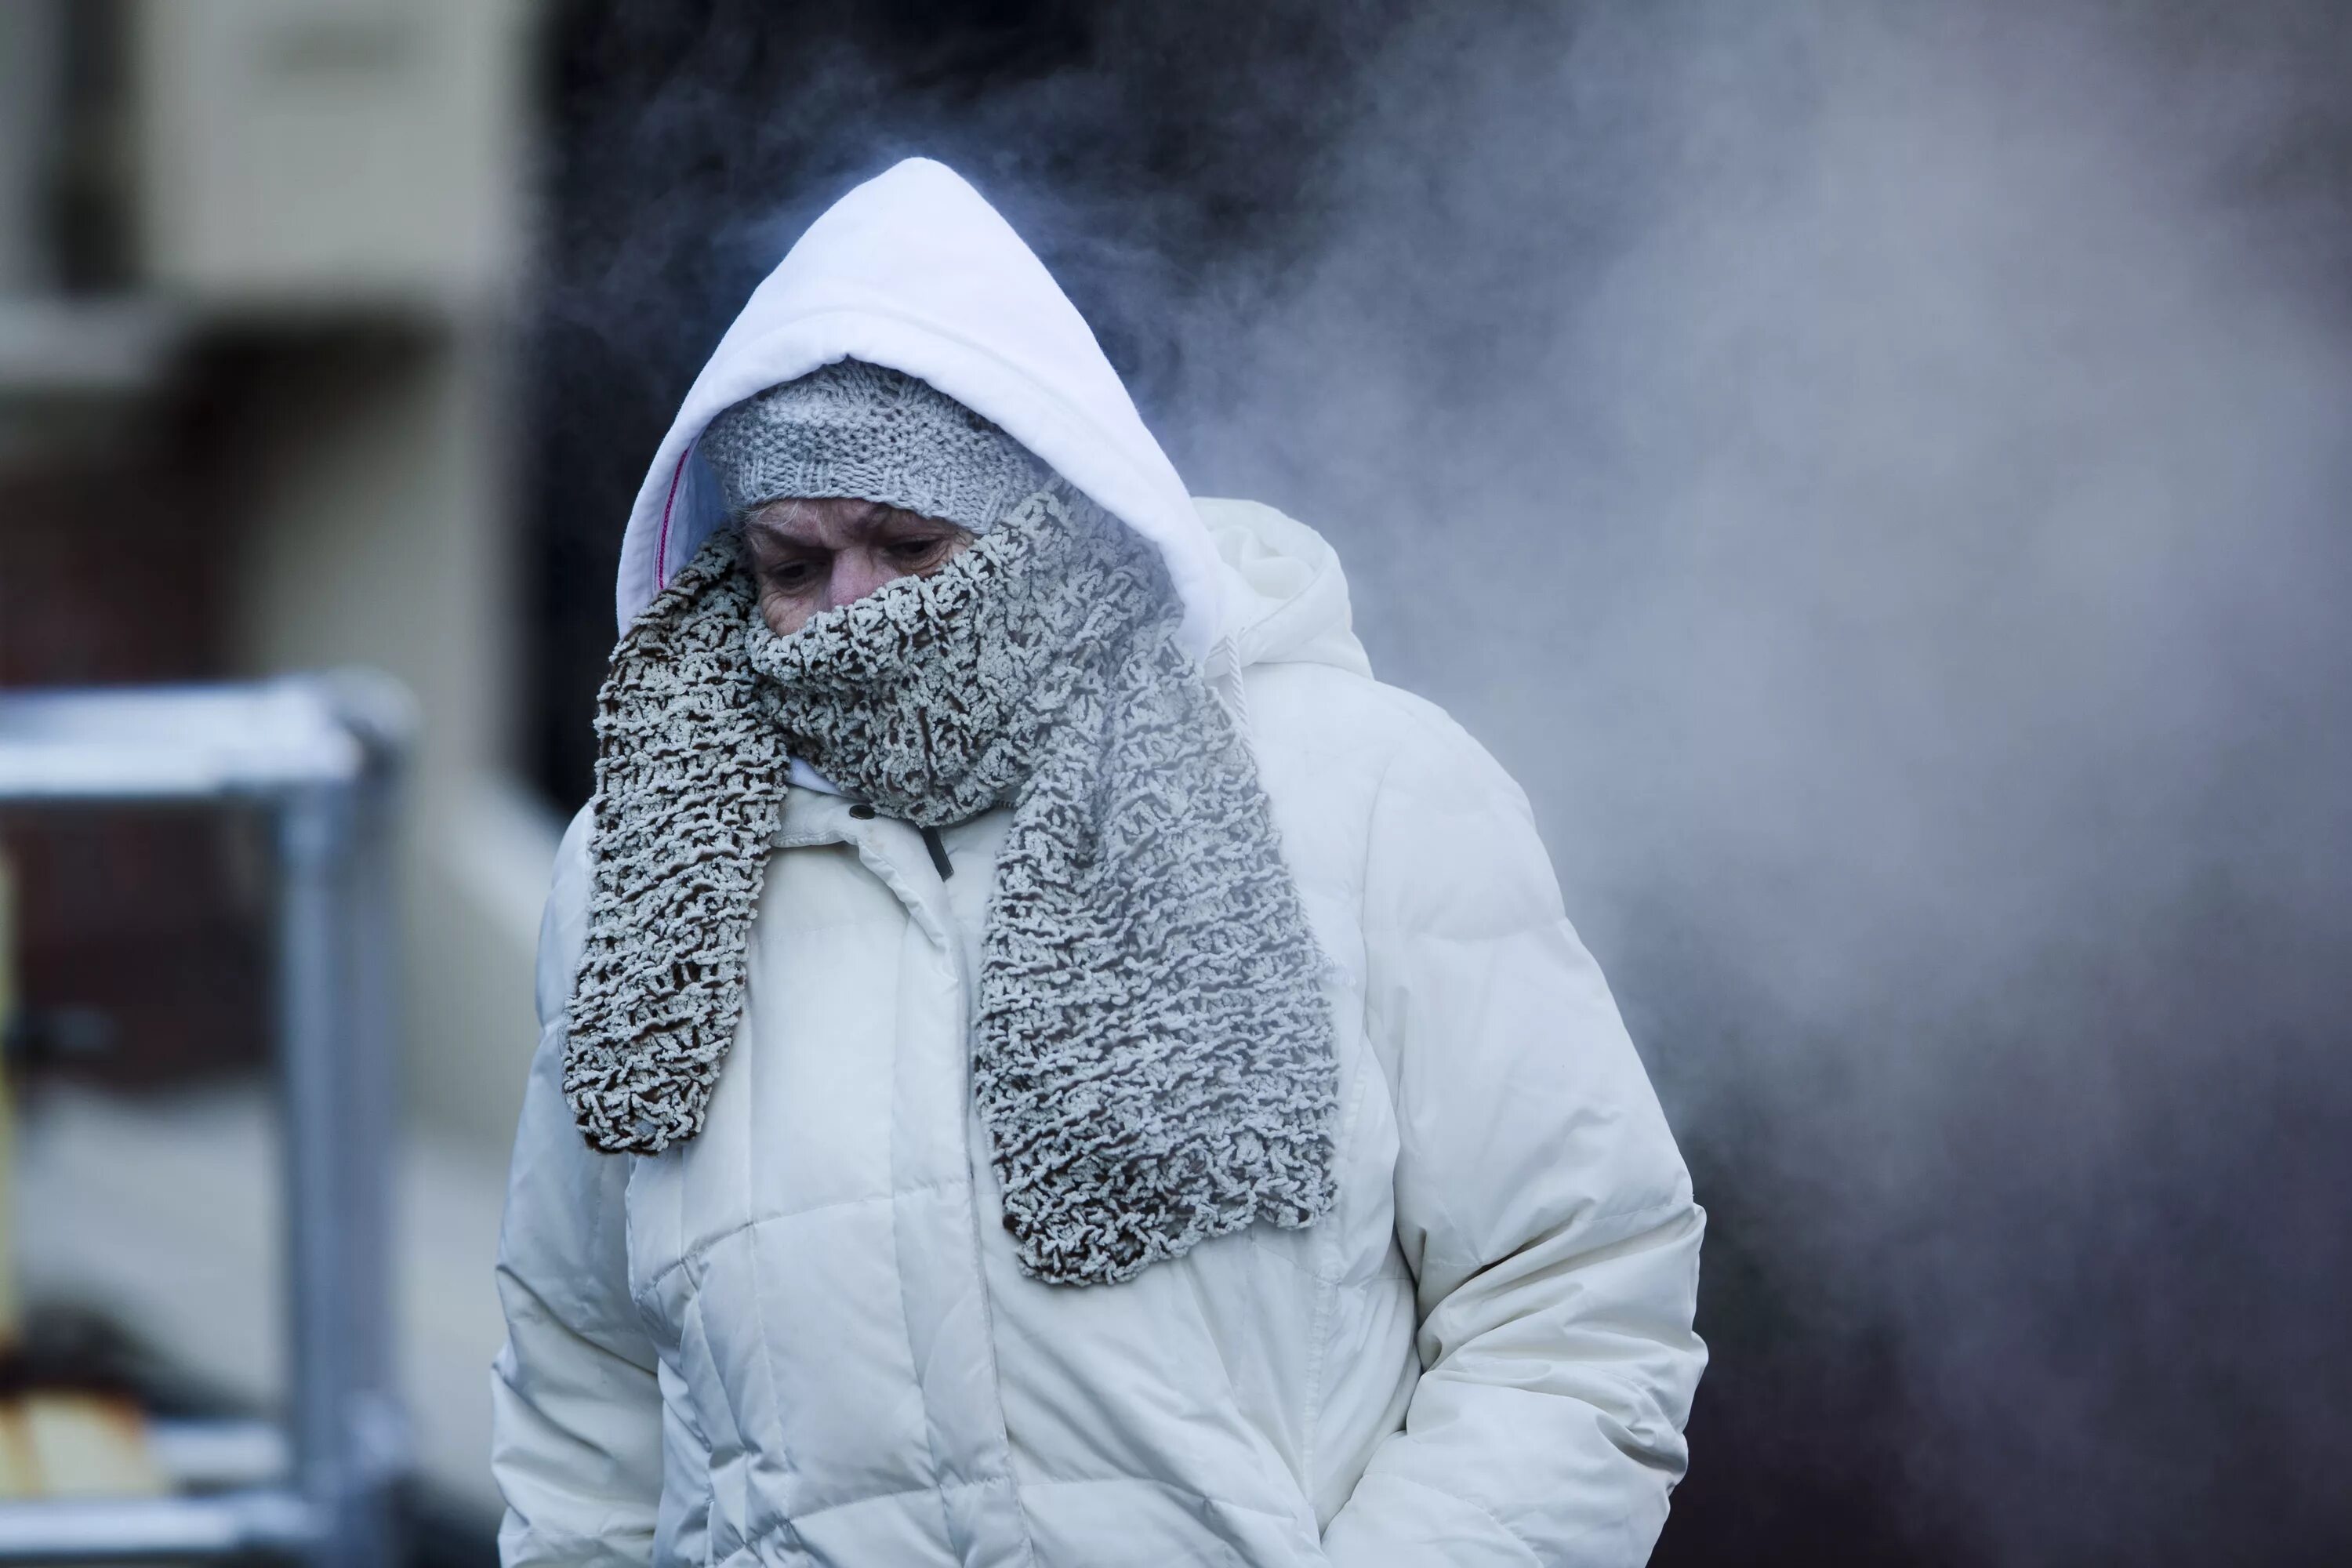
x: 918, y: 274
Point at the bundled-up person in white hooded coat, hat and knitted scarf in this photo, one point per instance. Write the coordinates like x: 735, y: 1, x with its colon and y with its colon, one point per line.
x: 1045, y: 1061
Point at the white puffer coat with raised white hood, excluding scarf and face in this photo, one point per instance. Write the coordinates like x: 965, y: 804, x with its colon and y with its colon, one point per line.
x: 803, y: 1336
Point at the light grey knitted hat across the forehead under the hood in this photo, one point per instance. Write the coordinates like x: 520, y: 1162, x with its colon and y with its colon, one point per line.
x: 871, y: 434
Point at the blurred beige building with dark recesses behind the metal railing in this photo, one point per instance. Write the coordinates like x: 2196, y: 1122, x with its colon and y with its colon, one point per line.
x: 258, y: 281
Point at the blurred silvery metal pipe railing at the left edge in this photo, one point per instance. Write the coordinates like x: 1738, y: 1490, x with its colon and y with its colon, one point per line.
x: 321, y: 758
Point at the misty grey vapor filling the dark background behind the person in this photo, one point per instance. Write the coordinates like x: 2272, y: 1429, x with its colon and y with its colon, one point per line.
x: 1878, y: 476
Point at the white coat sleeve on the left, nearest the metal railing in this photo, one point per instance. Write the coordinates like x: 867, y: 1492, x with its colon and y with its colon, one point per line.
x: 575, y: 1393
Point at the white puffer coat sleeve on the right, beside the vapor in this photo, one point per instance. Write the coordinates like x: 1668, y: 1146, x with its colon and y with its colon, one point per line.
x: 1542, y: 1202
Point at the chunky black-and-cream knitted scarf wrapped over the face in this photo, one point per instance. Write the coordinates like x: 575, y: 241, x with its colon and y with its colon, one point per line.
x: 1154, y: 1052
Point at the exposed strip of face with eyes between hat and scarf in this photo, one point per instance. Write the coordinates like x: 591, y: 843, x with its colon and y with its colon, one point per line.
x: 810, y: 556
